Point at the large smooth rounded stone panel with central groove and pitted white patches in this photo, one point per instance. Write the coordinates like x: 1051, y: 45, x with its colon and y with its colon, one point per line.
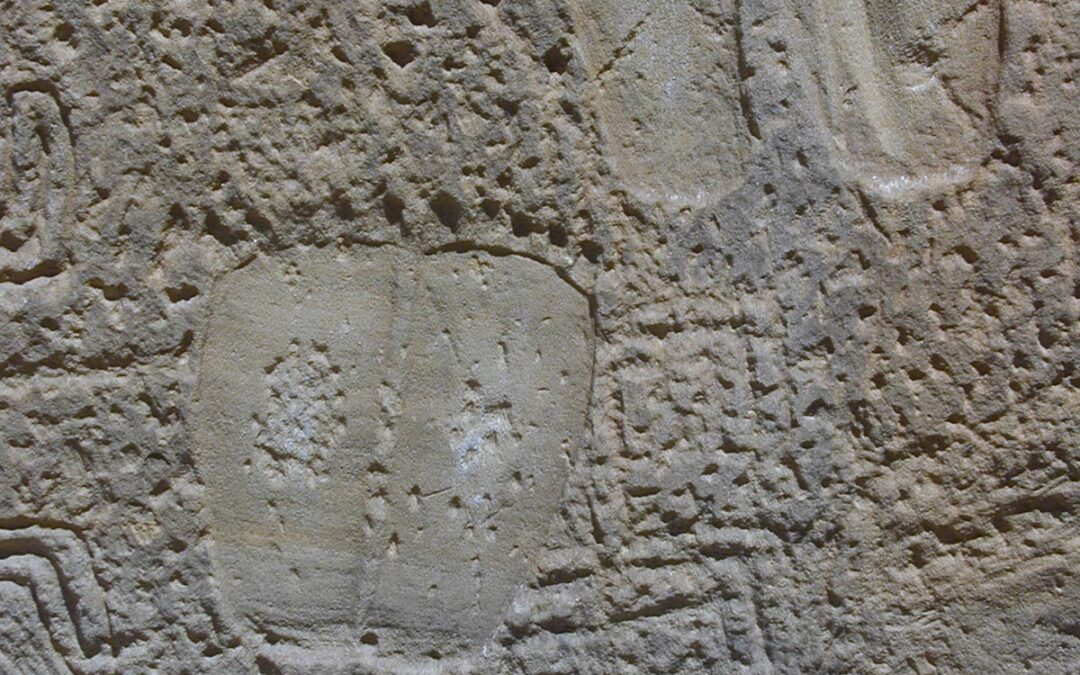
x: 385, y: 438
